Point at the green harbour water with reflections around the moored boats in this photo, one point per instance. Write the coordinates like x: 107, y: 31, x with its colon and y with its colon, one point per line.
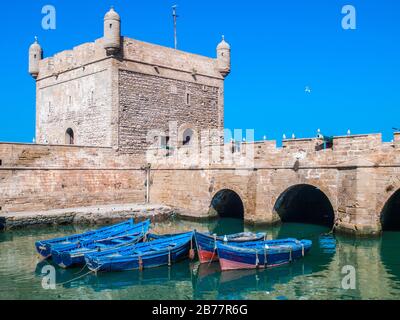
x: 318, y: 276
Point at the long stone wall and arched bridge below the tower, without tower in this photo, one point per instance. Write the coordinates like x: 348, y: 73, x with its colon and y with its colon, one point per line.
x: 357, y: 177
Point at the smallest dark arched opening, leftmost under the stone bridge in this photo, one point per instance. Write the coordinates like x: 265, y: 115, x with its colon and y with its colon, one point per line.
x: 227, y: 204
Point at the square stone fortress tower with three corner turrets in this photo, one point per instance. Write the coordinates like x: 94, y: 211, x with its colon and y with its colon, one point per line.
x: 113, y: 92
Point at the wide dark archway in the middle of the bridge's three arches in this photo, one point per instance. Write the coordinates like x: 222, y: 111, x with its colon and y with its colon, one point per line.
x: 305, y: 204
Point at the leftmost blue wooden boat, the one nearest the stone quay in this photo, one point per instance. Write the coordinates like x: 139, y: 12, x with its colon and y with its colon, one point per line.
x: 44, y: 247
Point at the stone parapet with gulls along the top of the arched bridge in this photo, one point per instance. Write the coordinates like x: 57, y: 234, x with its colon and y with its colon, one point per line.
x: 310, y: 151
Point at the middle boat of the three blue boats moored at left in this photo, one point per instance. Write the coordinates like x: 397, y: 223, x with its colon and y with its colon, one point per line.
x: 74, y: 255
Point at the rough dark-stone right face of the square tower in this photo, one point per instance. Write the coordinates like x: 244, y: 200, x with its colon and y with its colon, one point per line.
x: 151, y: 103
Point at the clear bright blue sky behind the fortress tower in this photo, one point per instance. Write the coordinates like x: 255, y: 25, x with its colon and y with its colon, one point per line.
x: 278, y: 48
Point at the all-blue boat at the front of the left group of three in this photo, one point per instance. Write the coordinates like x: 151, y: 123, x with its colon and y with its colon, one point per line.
x: 160, y: 252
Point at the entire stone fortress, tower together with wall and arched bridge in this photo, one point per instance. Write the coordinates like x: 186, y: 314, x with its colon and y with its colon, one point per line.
x: 111, y: 93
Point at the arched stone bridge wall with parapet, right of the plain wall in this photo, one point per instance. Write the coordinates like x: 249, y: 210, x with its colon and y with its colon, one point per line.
x: 357, y: 176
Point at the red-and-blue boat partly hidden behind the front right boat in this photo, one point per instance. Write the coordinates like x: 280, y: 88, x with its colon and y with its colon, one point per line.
x: 207, y: 243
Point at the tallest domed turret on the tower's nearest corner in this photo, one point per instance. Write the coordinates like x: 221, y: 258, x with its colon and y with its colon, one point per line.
x: 112, y: 32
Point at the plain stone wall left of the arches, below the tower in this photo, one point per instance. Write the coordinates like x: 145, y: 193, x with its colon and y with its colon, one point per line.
x: 39, y: 177
